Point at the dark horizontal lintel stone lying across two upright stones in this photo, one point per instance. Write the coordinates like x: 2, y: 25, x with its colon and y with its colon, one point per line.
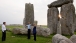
x: 59, y: 3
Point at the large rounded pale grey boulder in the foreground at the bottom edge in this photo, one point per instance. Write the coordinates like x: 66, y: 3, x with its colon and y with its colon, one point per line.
x: 59, y: 39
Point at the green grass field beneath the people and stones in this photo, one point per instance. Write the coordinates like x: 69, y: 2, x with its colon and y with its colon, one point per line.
x: 23, y: 38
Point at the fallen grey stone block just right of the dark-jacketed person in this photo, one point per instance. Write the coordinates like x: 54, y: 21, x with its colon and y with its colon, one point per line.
x: 42, y: 31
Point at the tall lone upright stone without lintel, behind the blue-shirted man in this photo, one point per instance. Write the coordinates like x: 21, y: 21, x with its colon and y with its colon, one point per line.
x: 29, y: 14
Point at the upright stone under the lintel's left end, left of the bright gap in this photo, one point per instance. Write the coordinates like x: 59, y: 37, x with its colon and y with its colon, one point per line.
x: 52, y: 19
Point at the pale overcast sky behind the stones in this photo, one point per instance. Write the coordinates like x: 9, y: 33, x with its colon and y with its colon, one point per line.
x: 12, y: 11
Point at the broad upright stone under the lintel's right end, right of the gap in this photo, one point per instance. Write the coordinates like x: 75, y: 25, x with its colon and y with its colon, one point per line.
x: 67, y: 20
